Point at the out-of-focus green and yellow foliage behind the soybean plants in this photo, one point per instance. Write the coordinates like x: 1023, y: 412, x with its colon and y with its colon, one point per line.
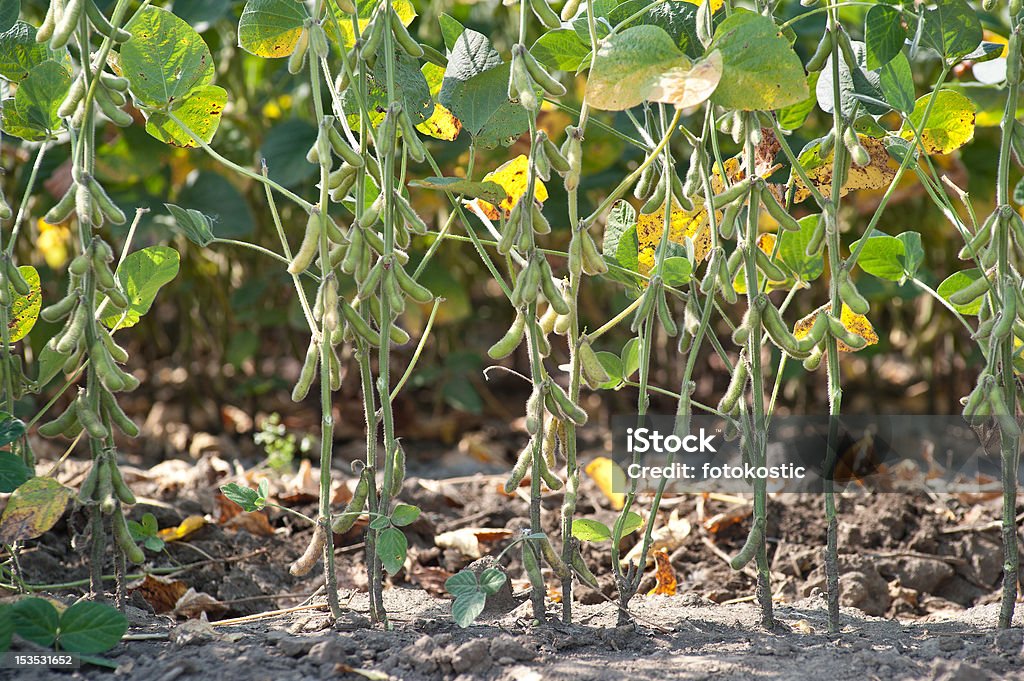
x: 231, y: 321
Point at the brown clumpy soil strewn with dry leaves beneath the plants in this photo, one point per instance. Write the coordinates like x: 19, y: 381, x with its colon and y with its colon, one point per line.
x: 920, y: 581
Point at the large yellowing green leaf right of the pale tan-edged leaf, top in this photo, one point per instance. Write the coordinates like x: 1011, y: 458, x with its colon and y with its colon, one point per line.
x: 762, y: 70
